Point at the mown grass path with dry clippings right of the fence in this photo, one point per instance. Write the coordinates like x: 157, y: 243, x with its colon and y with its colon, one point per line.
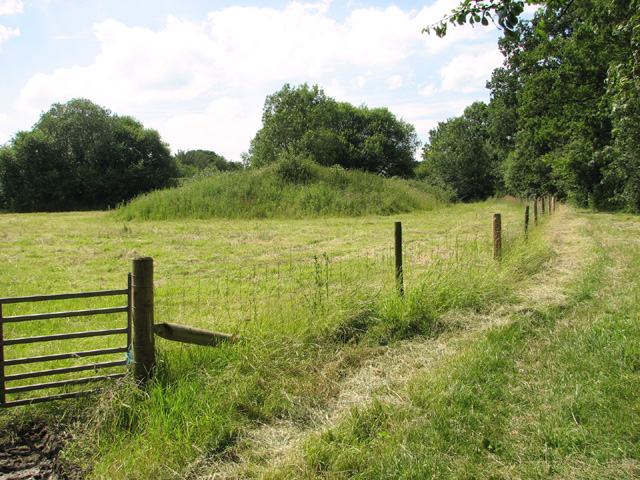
x: 543, y: 387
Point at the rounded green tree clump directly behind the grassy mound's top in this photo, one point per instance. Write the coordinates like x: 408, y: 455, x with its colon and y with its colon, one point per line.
x: 304, y: 121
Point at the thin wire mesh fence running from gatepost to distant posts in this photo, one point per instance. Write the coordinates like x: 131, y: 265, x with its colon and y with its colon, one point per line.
x: 295, y: 289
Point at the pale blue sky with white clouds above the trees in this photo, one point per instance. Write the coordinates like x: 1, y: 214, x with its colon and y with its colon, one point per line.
x: 199, y: 71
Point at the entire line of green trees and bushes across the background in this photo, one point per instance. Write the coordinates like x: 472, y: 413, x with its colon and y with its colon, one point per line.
x: 563, y: 120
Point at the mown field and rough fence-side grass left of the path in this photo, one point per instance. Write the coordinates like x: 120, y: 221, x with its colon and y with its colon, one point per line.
x: 312, y: 300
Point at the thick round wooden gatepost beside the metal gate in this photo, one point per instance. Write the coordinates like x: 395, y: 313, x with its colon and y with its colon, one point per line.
x: 143, y: 337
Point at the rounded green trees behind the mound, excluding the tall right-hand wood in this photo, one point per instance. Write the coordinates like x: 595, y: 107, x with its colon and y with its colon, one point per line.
x: 80, y: 156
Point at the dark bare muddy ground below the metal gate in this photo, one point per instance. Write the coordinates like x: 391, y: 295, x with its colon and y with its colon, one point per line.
x: 33, y: 452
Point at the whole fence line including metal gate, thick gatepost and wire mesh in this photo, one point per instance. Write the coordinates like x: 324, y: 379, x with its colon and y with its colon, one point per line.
x: 311, y: 280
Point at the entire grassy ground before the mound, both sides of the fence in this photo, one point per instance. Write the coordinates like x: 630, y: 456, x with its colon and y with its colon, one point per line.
x: 523, y: 369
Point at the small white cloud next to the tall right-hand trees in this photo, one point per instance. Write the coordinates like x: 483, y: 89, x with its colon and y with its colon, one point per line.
x: 466, y: 72
